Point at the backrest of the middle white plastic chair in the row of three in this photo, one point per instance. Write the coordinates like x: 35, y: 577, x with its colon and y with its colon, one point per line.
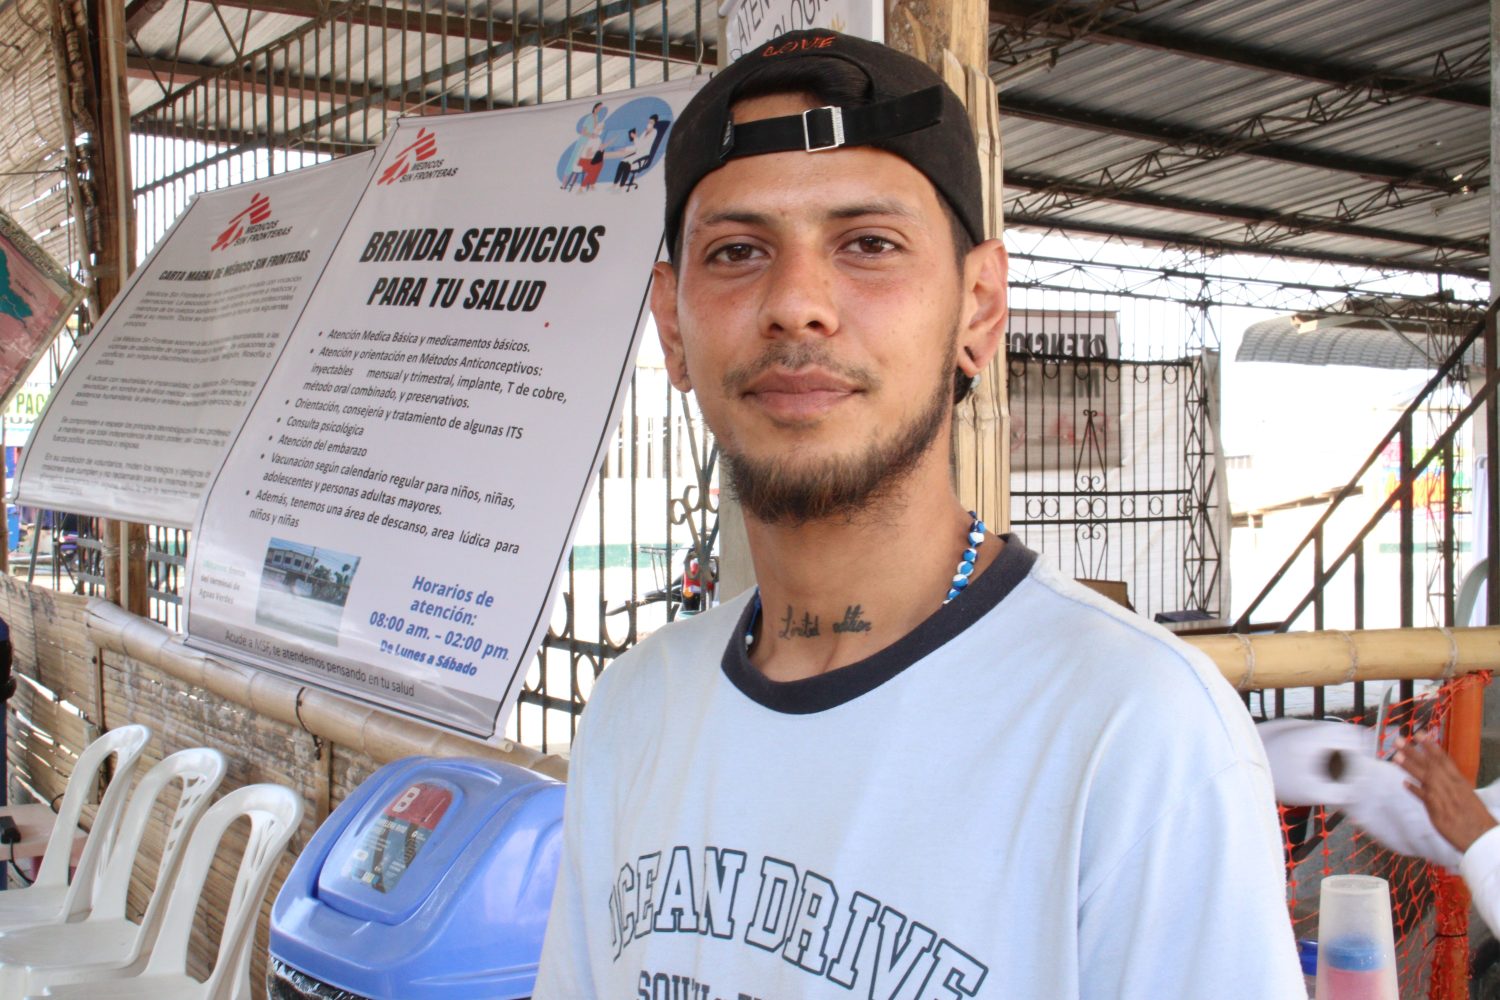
x: 199, y: 771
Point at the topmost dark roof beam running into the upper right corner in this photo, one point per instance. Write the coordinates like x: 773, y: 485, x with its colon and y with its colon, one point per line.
x: 1046, y: 19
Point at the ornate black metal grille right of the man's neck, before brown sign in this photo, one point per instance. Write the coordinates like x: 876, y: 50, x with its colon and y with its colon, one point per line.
x: 1121, y: 485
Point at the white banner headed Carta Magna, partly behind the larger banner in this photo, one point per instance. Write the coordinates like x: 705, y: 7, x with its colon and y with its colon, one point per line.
x: 143, y: 418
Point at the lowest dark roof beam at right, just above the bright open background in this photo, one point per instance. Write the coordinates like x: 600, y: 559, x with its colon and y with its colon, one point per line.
x: 1063, y: 196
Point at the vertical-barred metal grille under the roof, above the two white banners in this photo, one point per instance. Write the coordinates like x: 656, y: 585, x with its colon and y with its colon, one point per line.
x: 332, y: 85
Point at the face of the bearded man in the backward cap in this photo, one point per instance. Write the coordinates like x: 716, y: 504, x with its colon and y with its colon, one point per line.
x: 815, y: 313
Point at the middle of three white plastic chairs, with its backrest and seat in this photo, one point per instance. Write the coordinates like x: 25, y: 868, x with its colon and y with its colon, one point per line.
x: 107, y: 944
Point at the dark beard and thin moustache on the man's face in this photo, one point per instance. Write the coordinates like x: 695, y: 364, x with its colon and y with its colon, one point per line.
x: 781, y: 493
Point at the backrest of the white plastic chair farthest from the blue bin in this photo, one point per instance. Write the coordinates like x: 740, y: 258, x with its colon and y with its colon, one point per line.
x: 127, y: 744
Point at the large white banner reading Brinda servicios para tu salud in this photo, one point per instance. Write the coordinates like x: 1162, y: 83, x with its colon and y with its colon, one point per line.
x: 394, y: 515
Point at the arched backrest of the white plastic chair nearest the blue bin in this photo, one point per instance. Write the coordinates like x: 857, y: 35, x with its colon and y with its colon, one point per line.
x: 275, y: 813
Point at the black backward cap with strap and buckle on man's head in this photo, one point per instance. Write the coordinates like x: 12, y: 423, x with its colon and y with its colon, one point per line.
x: 911, y: 113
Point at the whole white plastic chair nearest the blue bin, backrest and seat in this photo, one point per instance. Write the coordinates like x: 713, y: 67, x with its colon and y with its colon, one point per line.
x: 275, y: 815
